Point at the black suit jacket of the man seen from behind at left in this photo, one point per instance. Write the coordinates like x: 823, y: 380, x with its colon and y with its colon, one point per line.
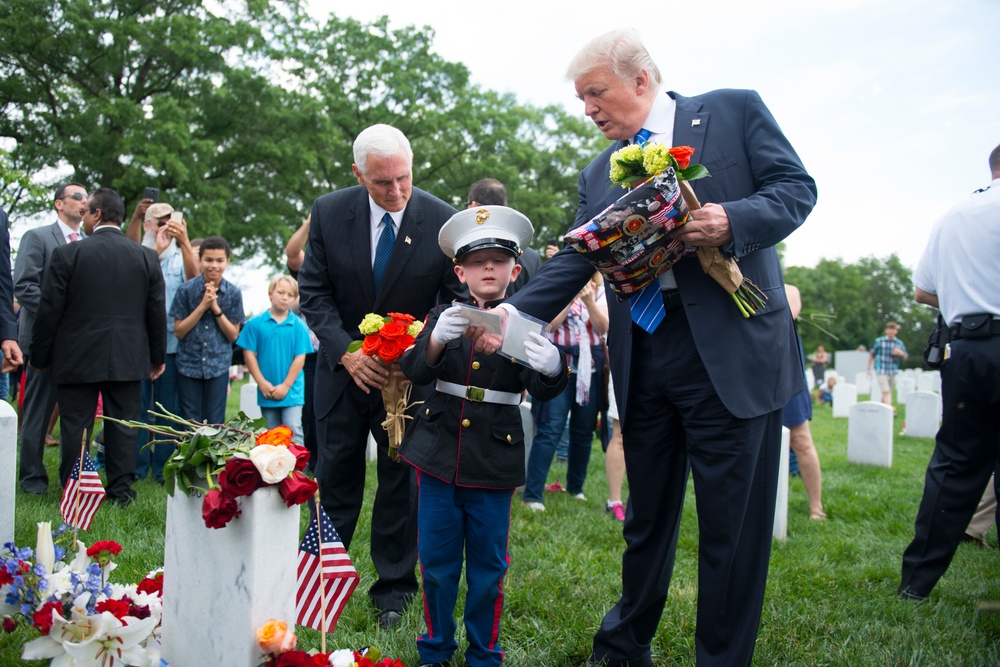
x: 102, y: 315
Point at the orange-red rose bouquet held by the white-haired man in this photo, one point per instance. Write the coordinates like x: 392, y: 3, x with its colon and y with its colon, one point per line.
x: 386, y: 339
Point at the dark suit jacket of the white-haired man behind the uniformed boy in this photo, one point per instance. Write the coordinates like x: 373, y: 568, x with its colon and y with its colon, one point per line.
x: 336, y: 282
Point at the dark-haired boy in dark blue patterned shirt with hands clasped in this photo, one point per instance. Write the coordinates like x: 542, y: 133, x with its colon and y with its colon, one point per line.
x: 208, y: 311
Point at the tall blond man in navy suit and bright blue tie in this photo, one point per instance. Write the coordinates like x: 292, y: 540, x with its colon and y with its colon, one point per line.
x: 699, y: 388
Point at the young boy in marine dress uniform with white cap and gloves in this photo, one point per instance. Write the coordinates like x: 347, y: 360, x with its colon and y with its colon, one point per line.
x: 466, y: 440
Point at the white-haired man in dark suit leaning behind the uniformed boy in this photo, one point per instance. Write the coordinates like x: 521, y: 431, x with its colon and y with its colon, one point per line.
x: 373, y: 248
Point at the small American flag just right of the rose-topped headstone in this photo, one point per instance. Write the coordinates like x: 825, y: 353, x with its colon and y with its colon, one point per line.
x: 338, y: 575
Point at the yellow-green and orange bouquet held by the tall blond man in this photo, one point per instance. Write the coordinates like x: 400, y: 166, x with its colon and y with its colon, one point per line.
x: 633, y: 164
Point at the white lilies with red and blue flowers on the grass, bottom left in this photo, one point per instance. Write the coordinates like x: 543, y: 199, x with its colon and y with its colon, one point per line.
x: 82, y: 619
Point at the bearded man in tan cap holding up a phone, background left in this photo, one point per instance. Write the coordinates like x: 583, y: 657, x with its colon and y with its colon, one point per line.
x: 165, y: 231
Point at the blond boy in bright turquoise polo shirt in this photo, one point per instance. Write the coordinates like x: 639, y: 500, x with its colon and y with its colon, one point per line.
x: 275, y: 344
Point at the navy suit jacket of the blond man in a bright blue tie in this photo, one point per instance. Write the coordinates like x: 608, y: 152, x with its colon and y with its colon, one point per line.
x: 760, y: 181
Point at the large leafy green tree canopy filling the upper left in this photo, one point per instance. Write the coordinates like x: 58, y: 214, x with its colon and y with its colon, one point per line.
x: 243, y: 113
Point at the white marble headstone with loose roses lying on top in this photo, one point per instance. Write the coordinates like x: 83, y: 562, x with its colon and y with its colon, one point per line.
x: 220, y: 585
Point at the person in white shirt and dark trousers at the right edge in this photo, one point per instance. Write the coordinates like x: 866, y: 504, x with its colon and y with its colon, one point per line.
x: 958, y: 273
